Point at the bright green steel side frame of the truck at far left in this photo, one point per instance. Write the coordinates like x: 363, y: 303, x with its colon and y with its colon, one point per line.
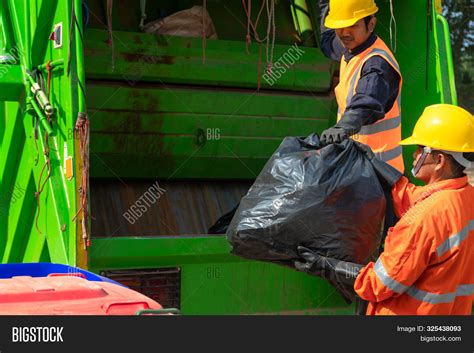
x: 38, y: 228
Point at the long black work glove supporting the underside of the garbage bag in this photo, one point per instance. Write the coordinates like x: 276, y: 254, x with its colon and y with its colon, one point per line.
x: 331, y: 269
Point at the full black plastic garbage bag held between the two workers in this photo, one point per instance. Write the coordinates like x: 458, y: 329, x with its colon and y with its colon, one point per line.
x: 326, y: 199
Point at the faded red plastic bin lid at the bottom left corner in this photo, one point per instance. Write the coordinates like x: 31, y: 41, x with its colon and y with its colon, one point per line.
x: 69, y: 295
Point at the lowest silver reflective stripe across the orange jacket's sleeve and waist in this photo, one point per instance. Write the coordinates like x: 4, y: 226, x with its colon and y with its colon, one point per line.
x: 419, y: 294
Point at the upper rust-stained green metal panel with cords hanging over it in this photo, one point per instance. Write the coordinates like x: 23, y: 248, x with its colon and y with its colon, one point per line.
x: 163, y: 59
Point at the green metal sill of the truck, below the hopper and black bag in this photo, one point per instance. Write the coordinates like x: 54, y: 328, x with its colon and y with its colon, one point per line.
x: 215, y: 282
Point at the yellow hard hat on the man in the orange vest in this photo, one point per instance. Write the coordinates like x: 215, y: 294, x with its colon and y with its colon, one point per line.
x: 345, y: 13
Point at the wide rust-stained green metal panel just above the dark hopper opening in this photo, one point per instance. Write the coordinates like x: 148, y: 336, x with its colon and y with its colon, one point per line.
x: 151, y: 131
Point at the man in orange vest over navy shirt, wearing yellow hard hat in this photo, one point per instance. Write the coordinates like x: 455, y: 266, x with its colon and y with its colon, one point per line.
x: 370, y: 82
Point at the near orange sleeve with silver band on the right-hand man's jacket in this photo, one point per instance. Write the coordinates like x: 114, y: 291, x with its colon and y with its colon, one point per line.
x: 408, y: 249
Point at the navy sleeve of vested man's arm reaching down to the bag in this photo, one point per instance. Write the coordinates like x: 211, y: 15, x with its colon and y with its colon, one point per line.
x: 376, y: 93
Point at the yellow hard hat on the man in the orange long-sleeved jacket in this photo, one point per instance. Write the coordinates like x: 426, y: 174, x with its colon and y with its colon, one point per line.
x: 444, y: 127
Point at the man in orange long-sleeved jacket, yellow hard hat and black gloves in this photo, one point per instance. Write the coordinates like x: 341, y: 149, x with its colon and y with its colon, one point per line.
x: 426, y: 266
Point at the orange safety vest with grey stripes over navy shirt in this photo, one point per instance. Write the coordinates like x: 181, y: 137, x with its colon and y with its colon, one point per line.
x: 384, y: 135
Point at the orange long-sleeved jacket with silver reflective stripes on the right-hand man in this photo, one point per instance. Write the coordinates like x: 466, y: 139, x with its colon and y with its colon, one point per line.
x: 427, y: 264
